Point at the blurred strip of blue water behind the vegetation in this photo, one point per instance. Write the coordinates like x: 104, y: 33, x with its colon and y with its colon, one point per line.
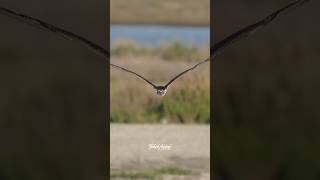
x: 152, y: 35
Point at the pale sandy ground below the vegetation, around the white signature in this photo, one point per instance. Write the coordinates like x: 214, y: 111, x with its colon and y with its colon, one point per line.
x: 190, y: 147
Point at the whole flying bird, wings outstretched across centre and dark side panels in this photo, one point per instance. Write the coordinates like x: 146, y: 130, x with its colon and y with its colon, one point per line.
x: 160, y: 90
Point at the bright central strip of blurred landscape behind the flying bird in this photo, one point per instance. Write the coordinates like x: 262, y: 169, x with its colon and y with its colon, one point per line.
x: 159, y: 39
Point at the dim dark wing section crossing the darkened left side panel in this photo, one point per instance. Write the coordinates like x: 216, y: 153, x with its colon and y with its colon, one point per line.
x: 51, y: 28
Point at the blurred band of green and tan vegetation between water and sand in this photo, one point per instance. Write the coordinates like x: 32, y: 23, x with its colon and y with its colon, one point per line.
x: 132, y: 101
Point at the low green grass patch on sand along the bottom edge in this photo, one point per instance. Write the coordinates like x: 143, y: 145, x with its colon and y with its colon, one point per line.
x: 154, y: 174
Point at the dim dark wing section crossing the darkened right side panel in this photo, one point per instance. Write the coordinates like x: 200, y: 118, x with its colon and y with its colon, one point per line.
x: 247, y: 31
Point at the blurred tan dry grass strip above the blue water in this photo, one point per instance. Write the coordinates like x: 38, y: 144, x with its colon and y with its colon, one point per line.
x: 177, y: 12
